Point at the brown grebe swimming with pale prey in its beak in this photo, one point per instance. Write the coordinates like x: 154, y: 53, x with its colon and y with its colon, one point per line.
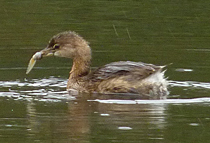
x: 146, y: 80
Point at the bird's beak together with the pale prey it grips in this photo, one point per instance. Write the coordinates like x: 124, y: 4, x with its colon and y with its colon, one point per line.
x: 37, y: 56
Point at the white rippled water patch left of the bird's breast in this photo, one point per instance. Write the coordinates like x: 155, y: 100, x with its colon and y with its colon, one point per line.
x: 47, y: 89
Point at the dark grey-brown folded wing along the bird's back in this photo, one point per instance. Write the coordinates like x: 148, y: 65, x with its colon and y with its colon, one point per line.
x: 136, y: 70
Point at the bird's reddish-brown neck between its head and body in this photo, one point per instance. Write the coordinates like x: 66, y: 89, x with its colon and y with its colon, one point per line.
x: 80, y: 68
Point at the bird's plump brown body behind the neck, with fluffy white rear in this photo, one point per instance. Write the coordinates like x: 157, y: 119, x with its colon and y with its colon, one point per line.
x: 130, y: 77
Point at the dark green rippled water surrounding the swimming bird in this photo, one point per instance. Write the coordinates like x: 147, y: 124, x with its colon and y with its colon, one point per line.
x: 36, y: 107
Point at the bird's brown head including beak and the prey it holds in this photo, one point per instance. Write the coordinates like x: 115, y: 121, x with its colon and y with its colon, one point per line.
x: 66, y: 44
